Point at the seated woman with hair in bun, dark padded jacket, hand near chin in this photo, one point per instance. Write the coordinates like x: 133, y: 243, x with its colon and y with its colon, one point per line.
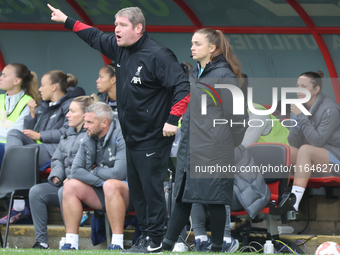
x: 45, y: 124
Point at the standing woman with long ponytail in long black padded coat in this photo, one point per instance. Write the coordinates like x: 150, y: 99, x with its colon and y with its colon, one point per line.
x: 208, y: 144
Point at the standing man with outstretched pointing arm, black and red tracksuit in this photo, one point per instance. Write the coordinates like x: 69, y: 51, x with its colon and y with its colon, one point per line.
x: 152, y: 94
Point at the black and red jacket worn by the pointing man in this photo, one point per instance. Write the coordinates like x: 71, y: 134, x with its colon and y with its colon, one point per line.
x: 151, y: 86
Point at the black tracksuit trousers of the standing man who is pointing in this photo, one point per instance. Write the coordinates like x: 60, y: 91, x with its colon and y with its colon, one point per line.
x: 146, y: 170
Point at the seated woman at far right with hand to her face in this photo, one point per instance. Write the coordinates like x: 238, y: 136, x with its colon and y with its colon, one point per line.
x: 315, y: 140
